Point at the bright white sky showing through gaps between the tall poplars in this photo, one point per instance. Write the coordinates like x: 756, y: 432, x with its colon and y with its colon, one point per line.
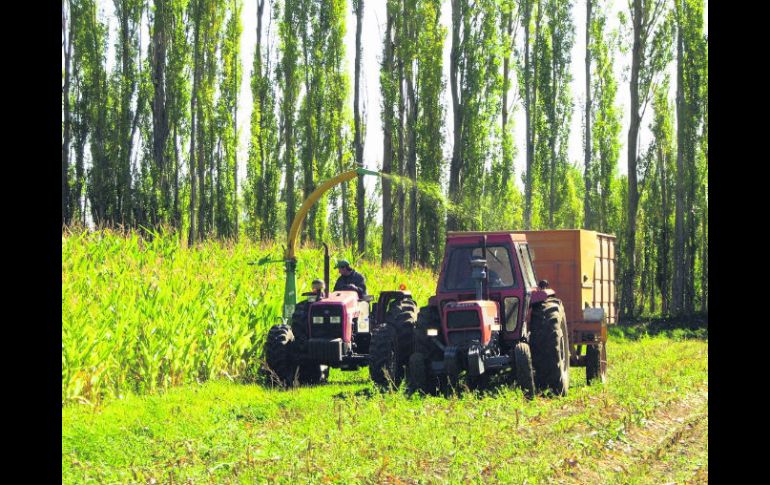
x: 371, y: 41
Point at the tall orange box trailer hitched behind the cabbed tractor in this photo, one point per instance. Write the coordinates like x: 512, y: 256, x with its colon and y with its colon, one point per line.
x: 580, y: 266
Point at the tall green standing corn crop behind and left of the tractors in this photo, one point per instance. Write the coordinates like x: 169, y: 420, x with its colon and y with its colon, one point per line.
x: 143, y: 314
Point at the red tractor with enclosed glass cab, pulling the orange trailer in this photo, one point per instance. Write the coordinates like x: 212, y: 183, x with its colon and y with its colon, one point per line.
x: 490, y: 317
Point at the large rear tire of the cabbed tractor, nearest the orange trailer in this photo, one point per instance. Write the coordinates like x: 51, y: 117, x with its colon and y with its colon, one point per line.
x: 550, y: 347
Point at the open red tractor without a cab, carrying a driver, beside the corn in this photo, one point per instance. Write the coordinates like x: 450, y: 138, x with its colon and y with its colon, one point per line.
x: 337, y: 329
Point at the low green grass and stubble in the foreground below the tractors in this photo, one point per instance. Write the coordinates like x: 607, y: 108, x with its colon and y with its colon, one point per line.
x: 225, y: 432
